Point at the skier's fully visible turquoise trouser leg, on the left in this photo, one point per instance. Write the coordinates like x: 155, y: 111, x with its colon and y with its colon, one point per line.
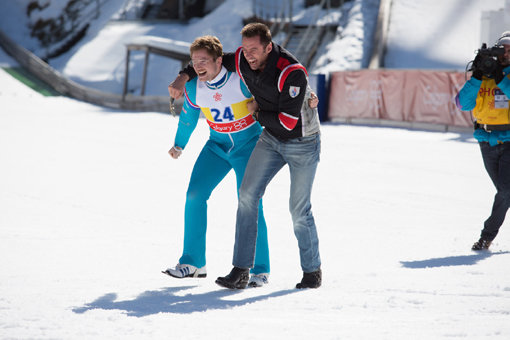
x: 208, y: 171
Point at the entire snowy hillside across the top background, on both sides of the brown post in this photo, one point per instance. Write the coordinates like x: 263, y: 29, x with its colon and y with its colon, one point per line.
x: 444, y: 35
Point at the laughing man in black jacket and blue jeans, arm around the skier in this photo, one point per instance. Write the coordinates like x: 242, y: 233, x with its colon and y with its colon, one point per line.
x: 291, y: 136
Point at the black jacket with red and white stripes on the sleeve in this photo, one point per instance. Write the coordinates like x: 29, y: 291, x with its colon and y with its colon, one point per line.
x: 279, y: 90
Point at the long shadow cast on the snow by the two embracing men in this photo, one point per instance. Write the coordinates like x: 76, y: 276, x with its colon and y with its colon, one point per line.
x: 165, y: 301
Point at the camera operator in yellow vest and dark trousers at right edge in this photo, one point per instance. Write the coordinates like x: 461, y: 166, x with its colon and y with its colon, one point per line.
x: 487, y: 93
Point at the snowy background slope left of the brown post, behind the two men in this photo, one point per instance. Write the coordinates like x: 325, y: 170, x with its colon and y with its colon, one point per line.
x: 98, y: 60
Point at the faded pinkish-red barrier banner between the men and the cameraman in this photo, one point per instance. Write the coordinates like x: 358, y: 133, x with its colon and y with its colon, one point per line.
x: 398, y: 95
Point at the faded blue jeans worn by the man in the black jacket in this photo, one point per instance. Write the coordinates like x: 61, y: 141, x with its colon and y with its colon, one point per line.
x: 268, y: 157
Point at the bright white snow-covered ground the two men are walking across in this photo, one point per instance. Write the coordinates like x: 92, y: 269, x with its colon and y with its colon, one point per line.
x: 92, y: 211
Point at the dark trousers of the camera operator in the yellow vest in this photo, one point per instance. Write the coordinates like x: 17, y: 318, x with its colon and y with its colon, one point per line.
x: 497, y: 163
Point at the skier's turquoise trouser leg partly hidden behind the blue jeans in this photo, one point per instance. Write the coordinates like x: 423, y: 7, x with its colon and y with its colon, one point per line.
x: 239, y: 161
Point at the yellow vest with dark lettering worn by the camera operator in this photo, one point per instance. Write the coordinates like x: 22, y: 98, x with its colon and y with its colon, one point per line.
x: 491, y: 104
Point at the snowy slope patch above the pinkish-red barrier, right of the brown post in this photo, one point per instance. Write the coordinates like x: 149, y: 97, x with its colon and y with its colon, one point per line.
x: 436, y: 34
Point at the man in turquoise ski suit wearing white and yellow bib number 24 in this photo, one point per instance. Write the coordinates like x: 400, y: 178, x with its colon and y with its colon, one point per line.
x: 225, y: 102
